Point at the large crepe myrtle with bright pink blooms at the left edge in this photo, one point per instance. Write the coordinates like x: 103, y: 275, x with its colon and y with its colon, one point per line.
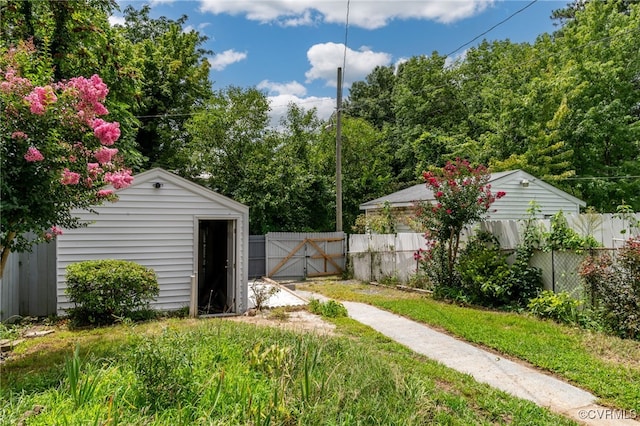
x: 56, y: 154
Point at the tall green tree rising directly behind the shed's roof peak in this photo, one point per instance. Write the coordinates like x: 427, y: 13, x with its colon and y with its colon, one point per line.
x: 174, y: 74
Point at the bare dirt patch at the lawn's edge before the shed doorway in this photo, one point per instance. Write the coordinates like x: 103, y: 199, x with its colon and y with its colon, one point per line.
x: 299, y: 320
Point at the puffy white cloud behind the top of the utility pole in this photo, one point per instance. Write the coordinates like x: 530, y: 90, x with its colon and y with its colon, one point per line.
x: 325, y: 59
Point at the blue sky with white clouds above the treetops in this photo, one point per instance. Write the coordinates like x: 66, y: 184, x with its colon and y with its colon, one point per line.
x: 291, y: 49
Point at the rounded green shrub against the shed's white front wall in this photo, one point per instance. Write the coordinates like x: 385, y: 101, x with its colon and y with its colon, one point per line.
x: 105, y: 291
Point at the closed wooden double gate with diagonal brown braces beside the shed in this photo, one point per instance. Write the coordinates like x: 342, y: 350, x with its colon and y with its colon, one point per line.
x: 293, y: 255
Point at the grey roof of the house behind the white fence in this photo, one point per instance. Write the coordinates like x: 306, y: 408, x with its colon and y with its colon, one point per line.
x: 408, y: 196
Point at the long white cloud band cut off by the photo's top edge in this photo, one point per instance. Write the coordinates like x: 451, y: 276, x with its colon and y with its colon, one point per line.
x: 368, y: 14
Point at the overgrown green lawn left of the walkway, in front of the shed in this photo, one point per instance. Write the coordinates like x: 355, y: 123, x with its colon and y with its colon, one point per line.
x: 219, y: 372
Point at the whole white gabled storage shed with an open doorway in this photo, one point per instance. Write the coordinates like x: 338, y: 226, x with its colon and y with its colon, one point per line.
x: 195, y: 240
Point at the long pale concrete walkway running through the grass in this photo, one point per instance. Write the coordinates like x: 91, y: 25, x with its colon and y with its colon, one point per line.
x: 514, y: 378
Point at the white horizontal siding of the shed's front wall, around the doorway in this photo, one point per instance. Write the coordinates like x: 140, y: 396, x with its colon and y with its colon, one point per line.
x: 155, y: 228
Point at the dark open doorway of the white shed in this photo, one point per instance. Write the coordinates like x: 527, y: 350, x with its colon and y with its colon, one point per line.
x: 216, y: 267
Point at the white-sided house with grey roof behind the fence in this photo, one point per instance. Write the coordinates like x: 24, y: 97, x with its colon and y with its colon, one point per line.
x: 521, y: 188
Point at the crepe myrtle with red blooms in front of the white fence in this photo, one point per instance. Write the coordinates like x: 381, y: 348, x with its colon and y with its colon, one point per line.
x: 463, y: 196
